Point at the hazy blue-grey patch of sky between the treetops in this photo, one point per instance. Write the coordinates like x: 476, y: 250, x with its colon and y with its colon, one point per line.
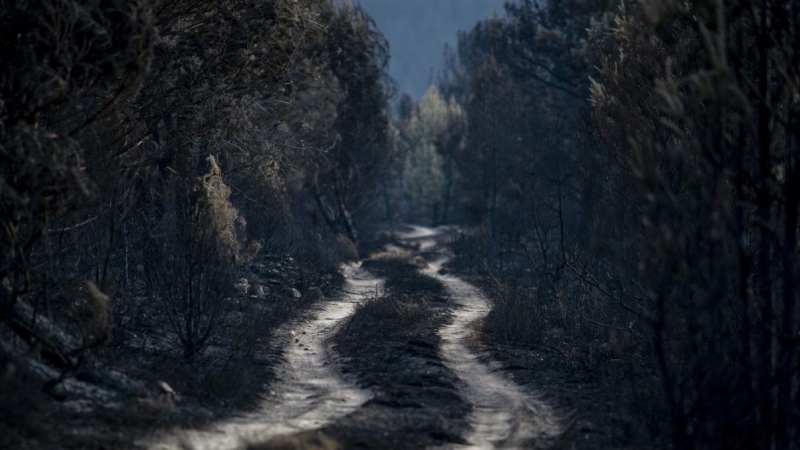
x: 417, y: 31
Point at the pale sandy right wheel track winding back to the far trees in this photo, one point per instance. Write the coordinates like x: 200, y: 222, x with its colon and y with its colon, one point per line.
x: 504, y: 416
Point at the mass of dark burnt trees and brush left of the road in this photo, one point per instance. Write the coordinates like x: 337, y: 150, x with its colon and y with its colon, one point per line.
x: 154, y: 154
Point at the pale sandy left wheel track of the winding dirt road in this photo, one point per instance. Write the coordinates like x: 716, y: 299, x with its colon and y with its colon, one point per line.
x: 309, y: 392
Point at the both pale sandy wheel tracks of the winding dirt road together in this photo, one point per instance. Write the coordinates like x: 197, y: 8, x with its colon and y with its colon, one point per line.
x: 311, y: 393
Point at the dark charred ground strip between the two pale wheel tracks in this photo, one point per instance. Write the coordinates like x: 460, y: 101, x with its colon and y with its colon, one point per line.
x: 391, y: 346
